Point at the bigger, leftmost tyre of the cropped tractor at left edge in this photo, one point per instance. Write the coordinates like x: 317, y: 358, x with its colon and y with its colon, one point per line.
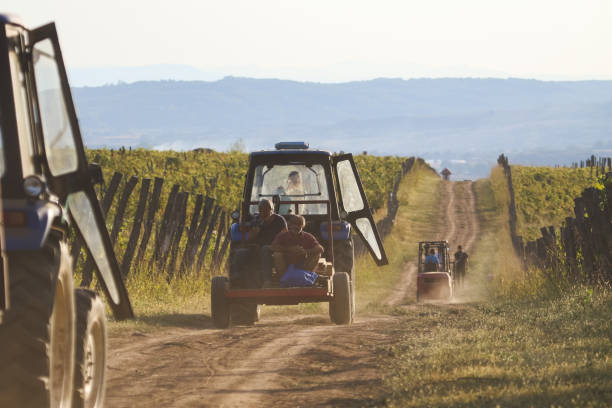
x: 37, y: 333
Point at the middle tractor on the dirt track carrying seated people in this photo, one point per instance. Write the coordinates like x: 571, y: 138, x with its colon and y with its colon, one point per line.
x: 334, y: 205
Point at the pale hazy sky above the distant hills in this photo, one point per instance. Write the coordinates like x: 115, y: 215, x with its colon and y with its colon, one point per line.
x: 337, y: 40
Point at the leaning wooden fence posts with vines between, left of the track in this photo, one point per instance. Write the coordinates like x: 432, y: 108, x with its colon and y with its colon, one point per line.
x: 176, y: 233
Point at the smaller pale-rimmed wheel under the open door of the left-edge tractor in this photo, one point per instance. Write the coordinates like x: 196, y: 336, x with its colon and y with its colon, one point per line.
x: 90, y: 352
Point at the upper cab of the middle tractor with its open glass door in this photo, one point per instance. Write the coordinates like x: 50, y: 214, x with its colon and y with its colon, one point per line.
x: 294, y: 176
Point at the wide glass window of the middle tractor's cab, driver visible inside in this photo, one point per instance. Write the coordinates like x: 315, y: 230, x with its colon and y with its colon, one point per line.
x: 291, y: 182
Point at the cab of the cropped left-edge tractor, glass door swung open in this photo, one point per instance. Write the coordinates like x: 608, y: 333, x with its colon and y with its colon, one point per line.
x: 43, y: 165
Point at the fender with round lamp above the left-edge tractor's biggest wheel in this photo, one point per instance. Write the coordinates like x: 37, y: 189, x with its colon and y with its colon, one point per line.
x: 27, y: 222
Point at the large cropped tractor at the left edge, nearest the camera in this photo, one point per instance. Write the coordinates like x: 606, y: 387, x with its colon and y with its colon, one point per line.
x: 52, y: 336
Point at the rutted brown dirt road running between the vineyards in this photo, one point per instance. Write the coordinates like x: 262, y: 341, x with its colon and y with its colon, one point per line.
x: 282, y: 361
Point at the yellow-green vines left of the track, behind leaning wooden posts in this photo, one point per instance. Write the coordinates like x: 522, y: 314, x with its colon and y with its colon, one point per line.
x: 212, y: 174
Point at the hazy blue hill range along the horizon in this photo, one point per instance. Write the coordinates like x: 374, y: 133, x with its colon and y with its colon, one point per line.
x: 447, y: 119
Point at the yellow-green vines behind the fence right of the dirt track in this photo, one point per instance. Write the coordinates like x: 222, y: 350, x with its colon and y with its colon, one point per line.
x: 545, y: 195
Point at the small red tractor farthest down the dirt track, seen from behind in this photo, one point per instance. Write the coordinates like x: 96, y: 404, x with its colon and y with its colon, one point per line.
x: 434, y: 279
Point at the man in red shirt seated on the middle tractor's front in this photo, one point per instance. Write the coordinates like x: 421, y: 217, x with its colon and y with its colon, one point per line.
x: 295, y: 246
